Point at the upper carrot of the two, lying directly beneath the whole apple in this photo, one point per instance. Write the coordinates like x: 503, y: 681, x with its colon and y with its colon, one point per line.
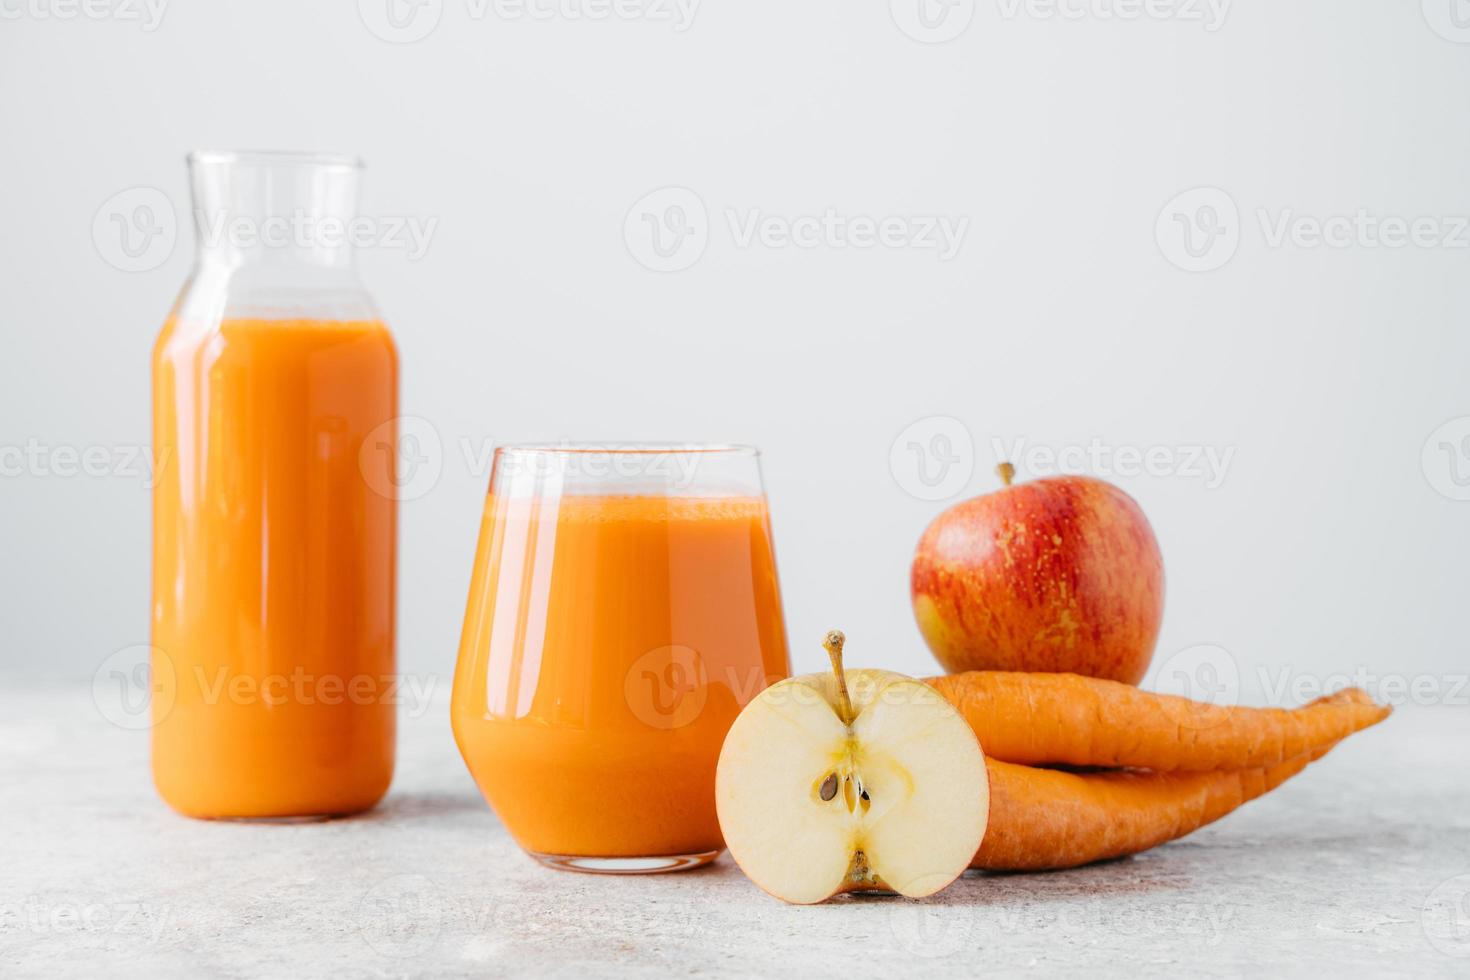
x: 1072, y: 721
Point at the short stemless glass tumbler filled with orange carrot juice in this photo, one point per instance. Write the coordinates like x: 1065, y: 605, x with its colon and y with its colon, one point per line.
x: 624, y: 608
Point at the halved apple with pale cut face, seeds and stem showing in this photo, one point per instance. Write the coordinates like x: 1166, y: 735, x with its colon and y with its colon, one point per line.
x: 824, y: 788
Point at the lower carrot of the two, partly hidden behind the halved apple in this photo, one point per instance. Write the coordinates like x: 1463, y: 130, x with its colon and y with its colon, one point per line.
x: 1047, y: 819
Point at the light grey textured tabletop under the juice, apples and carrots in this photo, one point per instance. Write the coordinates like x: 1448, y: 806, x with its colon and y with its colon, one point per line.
x: 1360, y: 866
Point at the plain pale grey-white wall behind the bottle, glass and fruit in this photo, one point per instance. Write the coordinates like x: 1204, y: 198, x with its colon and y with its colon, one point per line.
x: 1333, y: 544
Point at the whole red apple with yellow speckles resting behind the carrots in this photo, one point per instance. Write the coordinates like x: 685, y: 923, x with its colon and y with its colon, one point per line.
x: 1059, y: 575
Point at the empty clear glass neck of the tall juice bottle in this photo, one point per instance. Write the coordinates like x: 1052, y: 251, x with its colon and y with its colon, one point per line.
x: 282, y: 217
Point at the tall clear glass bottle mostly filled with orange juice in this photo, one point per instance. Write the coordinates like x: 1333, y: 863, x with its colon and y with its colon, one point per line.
x: 274, y: 518
